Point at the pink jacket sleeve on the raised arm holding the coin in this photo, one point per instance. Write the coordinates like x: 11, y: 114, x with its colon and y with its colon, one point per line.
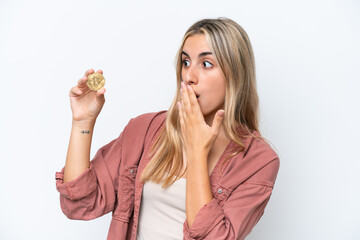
x: 92, y: 194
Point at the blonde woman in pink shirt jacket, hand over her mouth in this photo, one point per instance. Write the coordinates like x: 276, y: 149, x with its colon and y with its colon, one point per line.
x: 200, y: 170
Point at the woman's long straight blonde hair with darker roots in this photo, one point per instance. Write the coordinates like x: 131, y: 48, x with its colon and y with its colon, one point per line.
x: 233, y: 51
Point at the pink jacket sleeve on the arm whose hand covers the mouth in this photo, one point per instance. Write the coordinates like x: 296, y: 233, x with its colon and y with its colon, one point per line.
x: 235, y: 217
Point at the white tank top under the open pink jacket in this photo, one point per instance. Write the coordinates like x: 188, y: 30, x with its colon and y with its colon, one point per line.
x: 162, y: 211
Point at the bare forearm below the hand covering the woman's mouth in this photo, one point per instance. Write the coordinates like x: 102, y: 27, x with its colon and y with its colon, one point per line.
x: 198, y: 187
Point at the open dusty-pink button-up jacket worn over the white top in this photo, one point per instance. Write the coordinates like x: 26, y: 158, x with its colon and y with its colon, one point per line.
x: 111, y: 184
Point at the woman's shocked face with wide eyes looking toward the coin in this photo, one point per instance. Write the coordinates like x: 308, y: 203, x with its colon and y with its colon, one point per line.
x: 201, y: 71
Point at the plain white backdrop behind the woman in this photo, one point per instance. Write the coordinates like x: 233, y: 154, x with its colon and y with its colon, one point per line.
x: 307, y: 59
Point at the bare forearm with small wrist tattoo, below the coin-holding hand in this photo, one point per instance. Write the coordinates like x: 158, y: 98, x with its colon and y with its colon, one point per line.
x: 78, y: 155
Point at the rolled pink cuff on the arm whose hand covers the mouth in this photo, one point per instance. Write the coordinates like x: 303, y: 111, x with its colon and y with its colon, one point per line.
x: 200, y: 228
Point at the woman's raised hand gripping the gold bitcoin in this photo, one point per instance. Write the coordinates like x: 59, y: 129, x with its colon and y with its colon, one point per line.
x: 86, y: 104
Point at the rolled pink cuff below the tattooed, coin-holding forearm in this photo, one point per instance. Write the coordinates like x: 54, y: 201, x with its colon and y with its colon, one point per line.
x: 75, y: 190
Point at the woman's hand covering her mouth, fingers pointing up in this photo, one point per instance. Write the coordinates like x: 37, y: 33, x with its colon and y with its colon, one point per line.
x: 197, y: 136
